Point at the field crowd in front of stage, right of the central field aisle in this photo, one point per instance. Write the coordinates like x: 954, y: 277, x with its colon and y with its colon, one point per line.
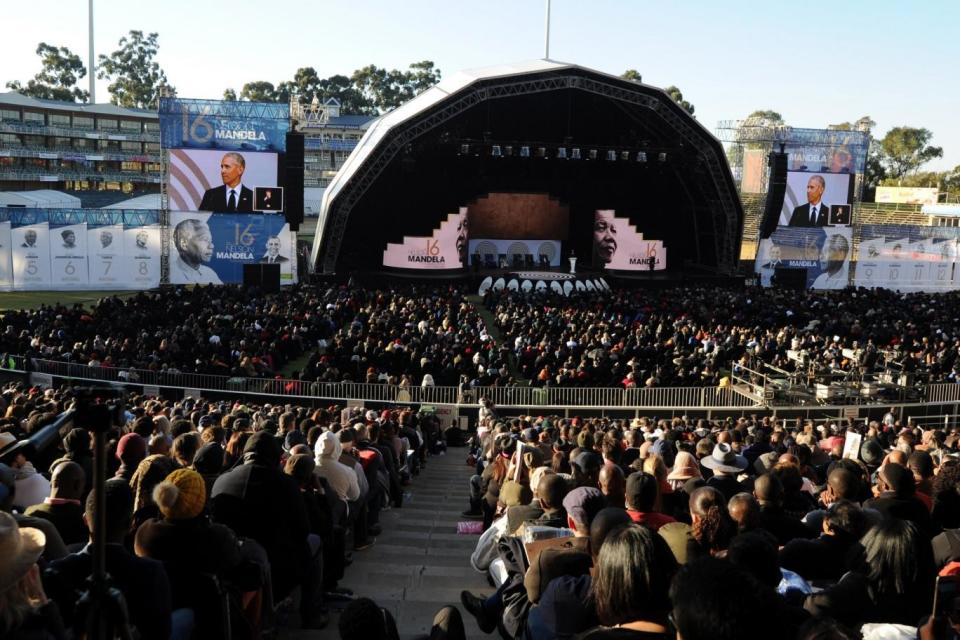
x: 697, y: 335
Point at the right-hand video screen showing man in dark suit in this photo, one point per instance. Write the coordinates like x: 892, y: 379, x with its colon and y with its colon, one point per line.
x: 816, y: 199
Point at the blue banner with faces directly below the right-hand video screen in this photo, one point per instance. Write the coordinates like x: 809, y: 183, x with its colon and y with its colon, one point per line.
x: 822, y: 252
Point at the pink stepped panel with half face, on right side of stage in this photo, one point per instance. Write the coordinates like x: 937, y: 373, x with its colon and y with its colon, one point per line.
x: 618, y: 246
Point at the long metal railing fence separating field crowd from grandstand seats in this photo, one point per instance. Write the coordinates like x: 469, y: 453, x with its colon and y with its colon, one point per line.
x: 936, y: 402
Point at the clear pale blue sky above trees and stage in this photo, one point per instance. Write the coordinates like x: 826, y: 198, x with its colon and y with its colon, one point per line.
x: 815, y: 62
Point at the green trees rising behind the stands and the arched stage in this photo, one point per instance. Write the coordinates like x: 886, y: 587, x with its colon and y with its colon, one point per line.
x: 138, y: 81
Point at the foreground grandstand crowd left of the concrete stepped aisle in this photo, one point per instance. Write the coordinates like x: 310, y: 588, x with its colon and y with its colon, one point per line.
x: 222, y: 519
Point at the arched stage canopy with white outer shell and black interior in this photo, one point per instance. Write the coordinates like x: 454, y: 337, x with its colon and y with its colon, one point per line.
x: 545, y: 101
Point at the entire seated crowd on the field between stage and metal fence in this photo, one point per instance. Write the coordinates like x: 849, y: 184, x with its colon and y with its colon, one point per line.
x: 419, y: 335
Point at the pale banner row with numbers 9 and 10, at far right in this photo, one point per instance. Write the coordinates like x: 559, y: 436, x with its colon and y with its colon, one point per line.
x: 907, y: 258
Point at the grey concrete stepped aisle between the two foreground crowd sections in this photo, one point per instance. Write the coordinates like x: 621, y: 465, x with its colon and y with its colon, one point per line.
x: 419, y: 563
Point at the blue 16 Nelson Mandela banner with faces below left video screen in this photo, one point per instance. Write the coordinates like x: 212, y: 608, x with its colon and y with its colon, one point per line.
x: 210, y: 248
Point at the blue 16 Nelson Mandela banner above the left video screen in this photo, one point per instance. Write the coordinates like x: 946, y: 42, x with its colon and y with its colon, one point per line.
x: 223, y: 124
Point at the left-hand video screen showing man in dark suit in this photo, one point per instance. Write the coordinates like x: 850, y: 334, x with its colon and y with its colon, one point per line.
x: 218, y: 181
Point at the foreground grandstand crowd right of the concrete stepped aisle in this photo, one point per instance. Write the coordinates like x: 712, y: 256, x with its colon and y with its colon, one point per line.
x: 740, y: 529
